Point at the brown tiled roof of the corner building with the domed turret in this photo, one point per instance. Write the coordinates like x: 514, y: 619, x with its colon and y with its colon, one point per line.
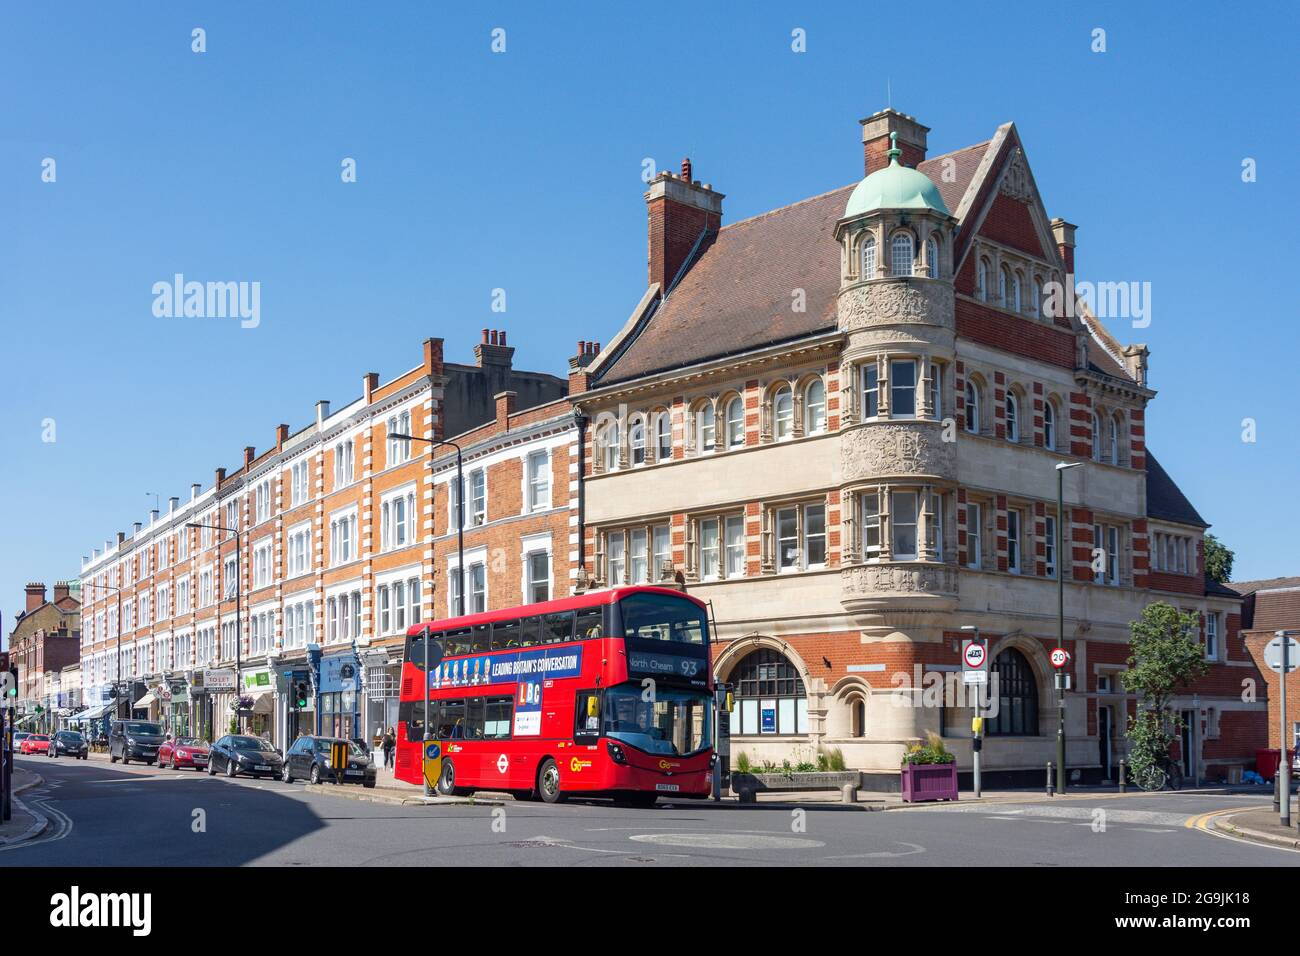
x: 739, y: 295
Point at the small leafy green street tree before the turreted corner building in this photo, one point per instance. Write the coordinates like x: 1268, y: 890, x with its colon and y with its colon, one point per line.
x: 1167, y: 656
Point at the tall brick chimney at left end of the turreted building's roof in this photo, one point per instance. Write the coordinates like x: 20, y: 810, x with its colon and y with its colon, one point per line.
x: 683, y: 213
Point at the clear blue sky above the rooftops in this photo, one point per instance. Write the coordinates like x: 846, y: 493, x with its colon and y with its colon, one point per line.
x: 522, y: 171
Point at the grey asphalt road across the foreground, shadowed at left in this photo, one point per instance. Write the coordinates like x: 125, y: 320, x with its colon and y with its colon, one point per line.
x: 146, y: 817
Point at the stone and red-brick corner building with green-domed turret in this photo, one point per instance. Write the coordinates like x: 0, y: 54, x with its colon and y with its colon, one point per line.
x: 840, y: 423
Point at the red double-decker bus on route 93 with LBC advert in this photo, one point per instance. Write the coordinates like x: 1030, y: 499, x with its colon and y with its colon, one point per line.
x: 608, y: 694
